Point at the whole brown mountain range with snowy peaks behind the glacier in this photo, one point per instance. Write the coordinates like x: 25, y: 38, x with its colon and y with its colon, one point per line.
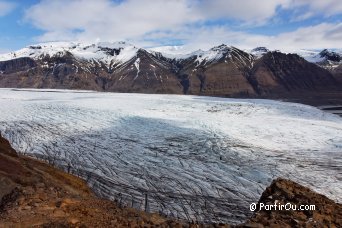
x: 121, y: 67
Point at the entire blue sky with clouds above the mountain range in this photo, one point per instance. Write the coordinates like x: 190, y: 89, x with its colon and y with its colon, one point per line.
x: 286, y: 25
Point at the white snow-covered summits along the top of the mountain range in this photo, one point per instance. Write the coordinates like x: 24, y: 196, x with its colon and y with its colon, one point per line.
x: 120, y: 52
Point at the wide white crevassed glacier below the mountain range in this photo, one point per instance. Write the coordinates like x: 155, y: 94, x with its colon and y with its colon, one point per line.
x: 195, y: 158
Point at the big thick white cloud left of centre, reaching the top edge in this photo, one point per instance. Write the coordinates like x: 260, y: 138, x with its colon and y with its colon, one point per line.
x: 104, y: 19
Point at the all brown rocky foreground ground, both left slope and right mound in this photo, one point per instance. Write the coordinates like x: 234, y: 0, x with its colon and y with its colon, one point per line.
x: 34, y: 194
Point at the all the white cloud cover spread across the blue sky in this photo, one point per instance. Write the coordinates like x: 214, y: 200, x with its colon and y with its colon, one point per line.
x: 151, y: 22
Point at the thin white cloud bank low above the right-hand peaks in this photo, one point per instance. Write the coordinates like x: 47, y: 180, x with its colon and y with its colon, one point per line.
x: 320, y: 36
